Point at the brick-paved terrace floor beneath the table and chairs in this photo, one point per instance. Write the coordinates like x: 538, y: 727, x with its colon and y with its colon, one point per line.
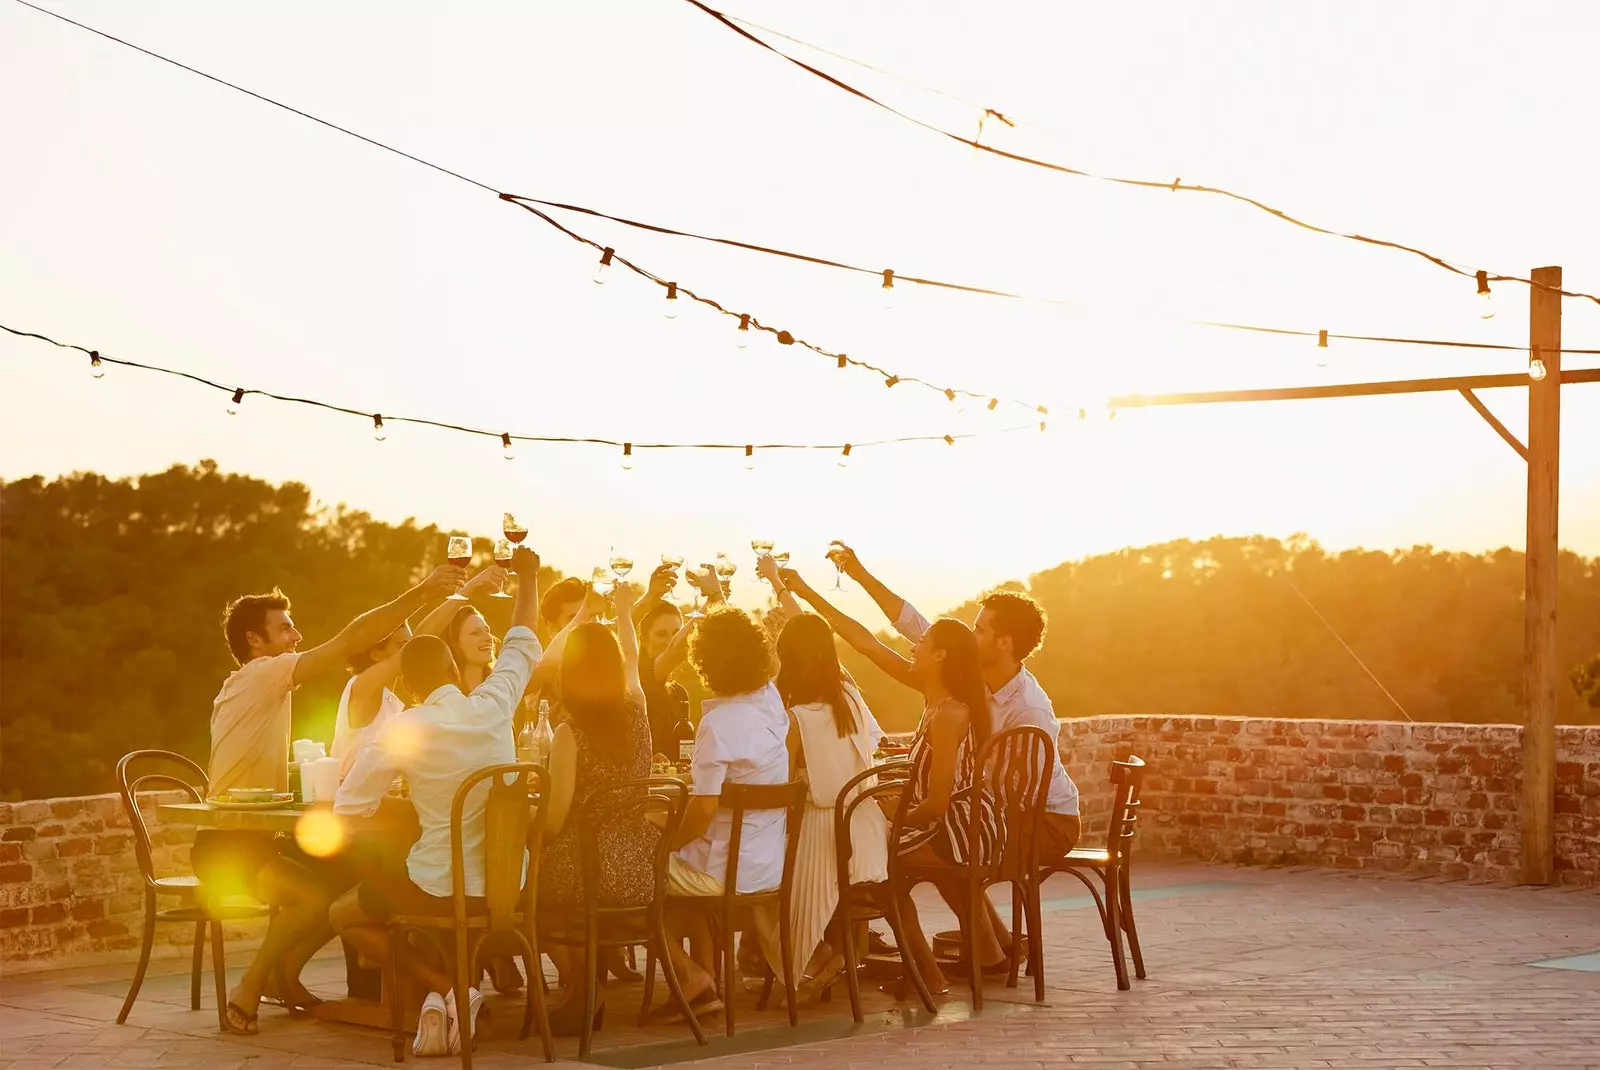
x: 1249, y: 968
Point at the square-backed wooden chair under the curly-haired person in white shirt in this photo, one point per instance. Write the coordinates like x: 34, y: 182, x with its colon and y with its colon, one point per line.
x: 732, y: 911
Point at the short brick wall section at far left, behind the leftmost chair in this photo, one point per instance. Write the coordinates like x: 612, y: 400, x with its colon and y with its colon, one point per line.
x: 70, y: 882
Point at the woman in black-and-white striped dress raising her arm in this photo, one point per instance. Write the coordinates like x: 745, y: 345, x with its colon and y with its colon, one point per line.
x: 956, y: 722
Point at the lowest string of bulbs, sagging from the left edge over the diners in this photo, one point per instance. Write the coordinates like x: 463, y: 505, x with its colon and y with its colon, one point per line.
x: 383, y: 421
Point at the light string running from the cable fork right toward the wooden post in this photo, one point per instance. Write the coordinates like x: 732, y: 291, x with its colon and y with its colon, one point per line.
x: 940, y: 284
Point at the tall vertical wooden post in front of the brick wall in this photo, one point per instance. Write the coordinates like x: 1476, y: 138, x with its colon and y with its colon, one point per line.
x: 1540, y: 673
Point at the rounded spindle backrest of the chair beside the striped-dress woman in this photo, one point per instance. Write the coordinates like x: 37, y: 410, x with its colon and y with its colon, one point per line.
x: 1012, y: 773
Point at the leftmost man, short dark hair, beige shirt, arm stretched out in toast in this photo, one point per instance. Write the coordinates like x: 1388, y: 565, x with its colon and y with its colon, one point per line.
x: 250, y: 748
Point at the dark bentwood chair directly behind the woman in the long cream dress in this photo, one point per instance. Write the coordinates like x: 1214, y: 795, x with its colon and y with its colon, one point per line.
x: 868, y: 903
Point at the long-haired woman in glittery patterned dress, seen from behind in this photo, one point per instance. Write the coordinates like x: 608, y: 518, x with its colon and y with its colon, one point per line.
x: 604, y: 745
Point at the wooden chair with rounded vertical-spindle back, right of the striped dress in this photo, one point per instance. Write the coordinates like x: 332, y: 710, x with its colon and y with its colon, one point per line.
x: 1012, y: 773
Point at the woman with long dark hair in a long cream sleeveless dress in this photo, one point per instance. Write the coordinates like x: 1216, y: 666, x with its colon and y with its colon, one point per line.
x: 838, y: 737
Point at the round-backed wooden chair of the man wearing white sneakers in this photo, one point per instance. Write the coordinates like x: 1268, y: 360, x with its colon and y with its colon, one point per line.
x: 513, y: 821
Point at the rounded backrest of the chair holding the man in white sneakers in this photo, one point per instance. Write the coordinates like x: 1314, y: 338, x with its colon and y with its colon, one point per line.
x: 513, y: 824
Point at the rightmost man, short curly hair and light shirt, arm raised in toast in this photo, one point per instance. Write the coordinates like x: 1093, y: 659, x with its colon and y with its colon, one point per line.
x: 1010, y: 628
